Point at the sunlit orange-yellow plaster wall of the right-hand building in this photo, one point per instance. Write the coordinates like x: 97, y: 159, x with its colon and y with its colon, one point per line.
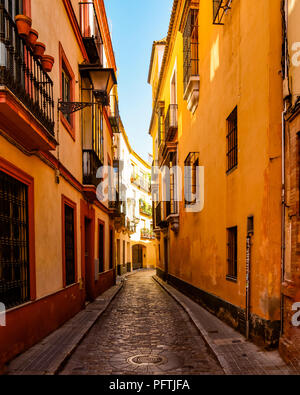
x: 239, y: 65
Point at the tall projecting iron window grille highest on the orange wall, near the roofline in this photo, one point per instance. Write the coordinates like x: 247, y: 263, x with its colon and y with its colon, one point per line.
x: 191, y: 47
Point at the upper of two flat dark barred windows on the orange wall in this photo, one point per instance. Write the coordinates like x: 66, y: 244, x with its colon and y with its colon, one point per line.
x: 232, y: 141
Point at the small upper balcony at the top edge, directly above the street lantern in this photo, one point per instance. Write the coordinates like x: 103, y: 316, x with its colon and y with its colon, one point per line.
x: 90, y: 31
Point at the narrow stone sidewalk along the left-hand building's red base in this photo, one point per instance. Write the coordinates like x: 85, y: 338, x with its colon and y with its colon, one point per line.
x: 49, y: 355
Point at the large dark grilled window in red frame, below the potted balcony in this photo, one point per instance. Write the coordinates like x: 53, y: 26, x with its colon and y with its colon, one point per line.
x: 14, y: 244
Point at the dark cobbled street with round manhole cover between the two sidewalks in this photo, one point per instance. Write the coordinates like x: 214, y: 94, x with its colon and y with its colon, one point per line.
x: 144, y: 321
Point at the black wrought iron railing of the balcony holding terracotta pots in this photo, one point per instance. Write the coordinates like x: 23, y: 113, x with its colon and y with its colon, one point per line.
x: 23, y: 74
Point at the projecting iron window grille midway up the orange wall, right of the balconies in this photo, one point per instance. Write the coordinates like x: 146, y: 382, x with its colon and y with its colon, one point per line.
x: 190, y: 178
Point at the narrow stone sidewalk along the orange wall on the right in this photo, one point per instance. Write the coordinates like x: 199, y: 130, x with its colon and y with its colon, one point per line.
x: 229, y: 343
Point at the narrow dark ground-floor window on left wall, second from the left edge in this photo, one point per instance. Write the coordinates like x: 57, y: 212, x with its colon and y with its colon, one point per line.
x: 69, y: 245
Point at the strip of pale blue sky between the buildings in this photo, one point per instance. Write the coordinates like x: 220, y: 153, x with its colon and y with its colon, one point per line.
x: 134, y: 25
